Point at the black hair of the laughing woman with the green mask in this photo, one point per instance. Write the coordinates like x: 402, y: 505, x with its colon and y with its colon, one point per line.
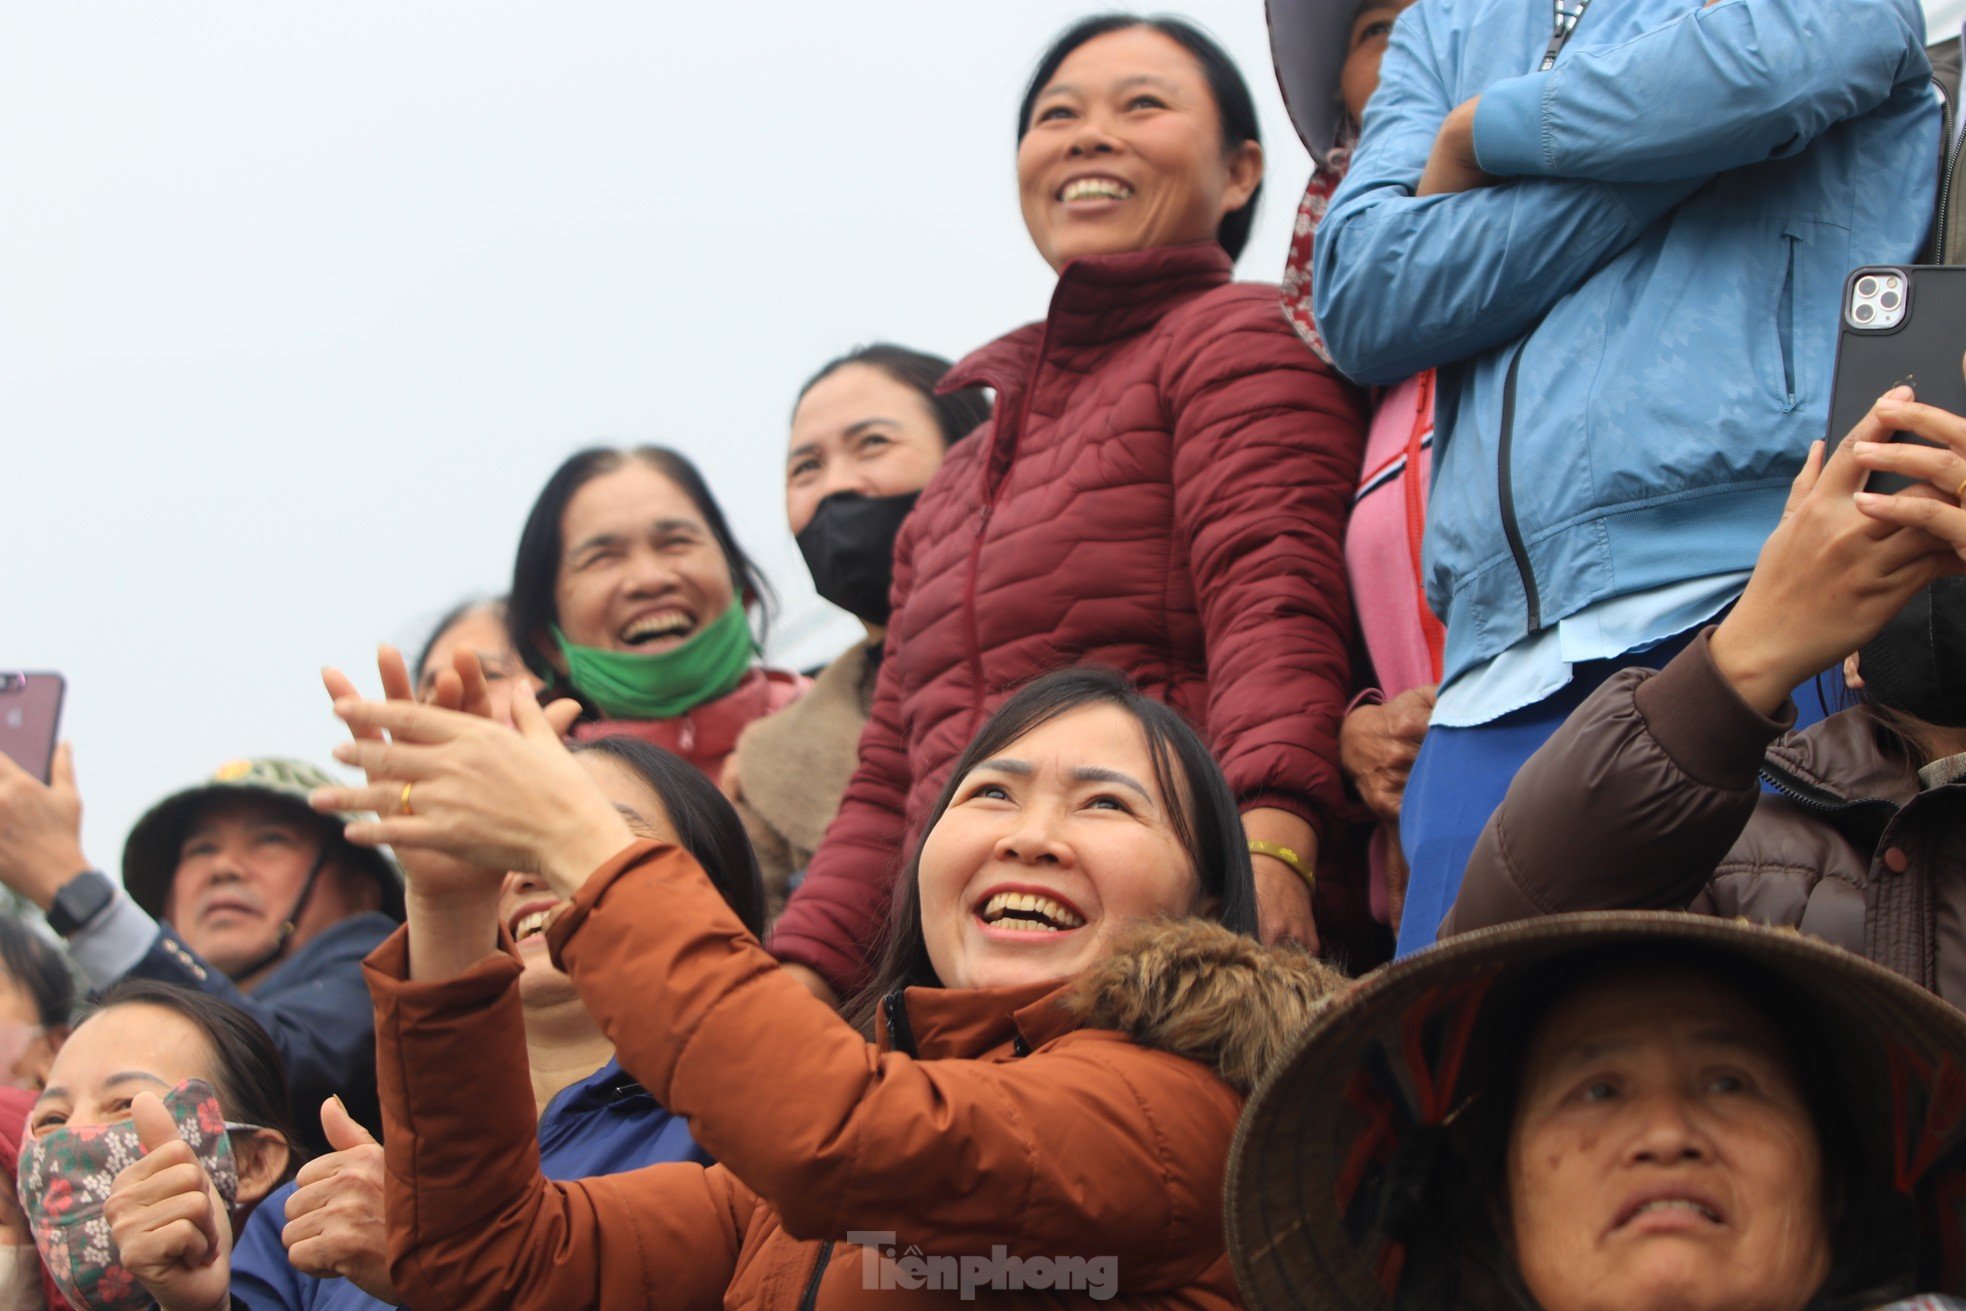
x: 536, y: 573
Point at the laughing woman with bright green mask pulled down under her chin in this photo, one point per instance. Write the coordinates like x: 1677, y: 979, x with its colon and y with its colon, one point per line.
x: 632, y: 597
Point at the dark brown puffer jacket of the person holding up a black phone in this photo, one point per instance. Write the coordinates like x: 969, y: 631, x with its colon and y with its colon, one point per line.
x: 1650, y: 799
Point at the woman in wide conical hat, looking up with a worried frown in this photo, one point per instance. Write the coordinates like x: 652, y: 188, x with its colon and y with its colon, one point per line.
x: 1621, y: 1111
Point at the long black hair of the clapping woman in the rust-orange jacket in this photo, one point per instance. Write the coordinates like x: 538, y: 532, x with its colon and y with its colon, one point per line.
x: 1200, y: 803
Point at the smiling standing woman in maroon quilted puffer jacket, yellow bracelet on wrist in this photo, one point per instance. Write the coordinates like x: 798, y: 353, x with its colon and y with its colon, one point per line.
x: 1163, y: 488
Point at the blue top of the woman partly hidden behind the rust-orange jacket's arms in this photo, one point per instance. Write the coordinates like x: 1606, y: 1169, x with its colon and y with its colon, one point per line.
x: 603, y: 1125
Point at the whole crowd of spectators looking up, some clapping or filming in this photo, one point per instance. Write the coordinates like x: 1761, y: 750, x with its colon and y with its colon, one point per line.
x: 1422, y: 783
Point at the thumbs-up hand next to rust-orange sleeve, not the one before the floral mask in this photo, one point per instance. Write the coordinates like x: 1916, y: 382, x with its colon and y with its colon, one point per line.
x: 335, y: 1220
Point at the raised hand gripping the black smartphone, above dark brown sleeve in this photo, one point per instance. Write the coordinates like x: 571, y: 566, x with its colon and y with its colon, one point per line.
x: 1831, y: 577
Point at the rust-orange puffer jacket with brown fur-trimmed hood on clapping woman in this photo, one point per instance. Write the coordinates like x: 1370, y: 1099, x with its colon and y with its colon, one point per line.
x: 1086, y: 1121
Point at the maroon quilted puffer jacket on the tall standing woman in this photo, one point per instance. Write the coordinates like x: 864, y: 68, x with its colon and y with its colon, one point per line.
x: 1165, y: 490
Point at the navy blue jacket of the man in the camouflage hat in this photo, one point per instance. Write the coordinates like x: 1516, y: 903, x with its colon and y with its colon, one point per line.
x: 316, y: 1007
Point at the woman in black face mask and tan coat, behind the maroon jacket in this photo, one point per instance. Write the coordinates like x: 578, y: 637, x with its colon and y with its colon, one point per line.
x: 868, y: 433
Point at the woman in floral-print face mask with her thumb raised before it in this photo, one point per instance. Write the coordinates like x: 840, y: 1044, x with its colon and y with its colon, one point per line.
x: 160, y: 1129
